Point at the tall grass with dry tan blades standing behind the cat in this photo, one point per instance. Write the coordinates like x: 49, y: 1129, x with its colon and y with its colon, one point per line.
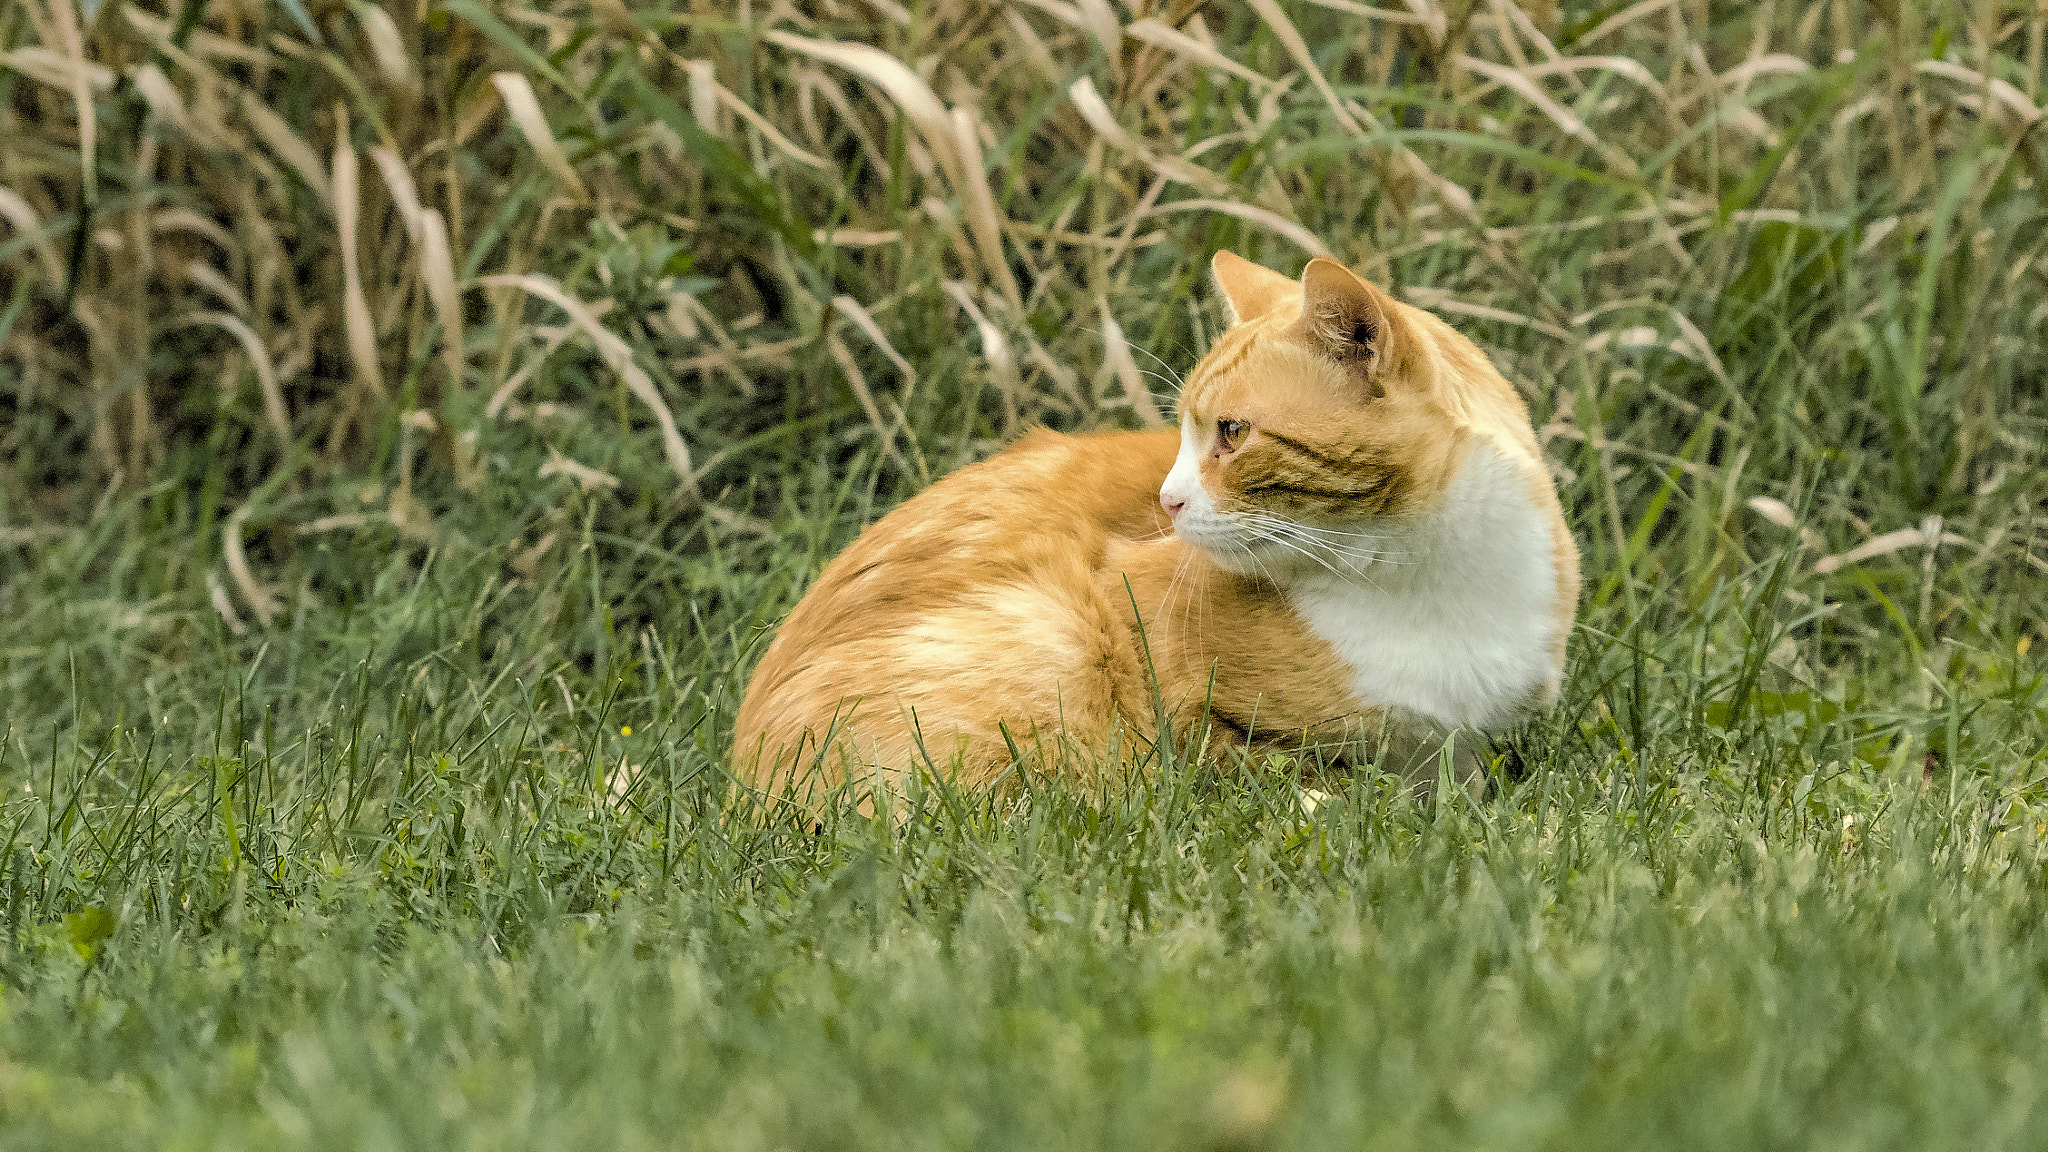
x: 1773, y: 261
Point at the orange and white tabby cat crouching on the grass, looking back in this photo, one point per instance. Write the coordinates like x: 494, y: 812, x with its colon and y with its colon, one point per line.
x: 1351, y: 536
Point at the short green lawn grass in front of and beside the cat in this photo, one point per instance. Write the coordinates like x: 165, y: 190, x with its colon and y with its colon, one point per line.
x: 417, y: 909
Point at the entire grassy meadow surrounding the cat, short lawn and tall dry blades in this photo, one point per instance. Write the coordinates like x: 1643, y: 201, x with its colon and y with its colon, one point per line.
x: 419, y: 415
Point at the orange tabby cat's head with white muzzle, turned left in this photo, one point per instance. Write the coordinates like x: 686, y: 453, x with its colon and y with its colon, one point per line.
x: 1314, y: 427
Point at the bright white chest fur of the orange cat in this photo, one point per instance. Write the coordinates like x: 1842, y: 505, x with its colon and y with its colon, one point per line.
x: 1459, y: 622
